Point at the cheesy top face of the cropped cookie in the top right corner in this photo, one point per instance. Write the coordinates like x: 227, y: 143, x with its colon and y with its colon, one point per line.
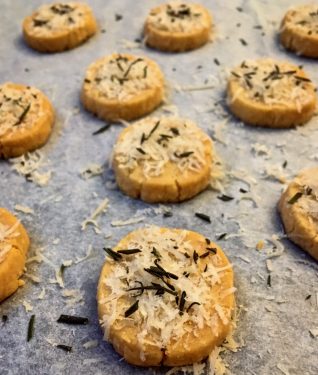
x: 303, y: 18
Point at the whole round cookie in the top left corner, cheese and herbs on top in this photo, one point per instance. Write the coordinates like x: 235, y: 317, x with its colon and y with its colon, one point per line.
x: 59, y: 26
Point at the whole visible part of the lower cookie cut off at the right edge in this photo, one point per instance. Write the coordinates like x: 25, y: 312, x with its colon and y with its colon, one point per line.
x: 298, y: 207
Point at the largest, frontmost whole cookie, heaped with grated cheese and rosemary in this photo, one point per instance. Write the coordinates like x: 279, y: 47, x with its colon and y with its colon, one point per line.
x: 165, y: 297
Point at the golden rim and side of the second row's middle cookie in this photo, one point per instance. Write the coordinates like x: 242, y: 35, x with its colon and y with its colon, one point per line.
x: 114, y: 109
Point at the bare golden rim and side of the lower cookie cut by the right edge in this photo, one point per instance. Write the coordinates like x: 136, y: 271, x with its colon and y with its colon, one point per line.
x: 300, y: 227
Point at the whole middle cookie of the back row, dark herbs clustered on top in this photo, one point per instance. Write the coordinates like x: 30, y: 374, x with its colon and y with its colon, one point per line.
x: 177, y: 26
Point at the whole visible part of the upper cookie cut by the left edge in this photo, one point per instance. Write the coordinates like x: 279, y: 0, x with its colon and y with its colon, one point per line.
x: 26, y: 119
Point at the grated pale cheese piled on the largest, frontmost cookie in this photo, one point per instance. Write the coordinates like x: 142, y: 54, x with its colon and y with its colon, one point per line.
x: 162, y: 324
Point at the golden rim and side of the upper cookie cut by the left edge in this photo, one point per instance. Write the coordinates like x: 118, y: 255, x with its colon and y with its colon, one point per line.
x: 13, y: 144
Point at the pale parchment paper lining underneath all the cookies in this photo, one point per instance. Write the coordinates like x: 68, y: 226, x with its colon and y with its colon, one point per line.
x: 274, y: 321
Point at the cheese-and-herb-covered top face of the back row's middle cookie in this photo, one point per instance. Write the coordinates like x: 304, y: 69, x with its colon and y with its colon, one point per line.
x: 177, y: 16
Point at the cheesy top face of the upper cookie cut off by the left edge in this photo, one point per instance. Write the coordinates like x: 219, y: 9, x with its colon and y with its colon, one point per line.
x: 20, y: 106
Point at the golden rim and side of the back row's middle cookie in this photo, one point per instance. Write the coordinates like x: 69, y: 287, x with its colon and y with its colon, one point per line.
x: 177, y: 41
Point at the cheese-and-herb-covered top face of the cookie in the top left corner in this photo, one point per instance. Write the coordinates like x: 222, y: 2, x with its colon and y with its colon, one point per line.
x: 58, y: 17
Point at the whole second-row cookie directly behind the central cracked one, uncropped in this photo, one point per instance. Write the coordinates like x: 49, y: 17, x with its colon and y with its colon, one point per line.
x: 122, y: 87
